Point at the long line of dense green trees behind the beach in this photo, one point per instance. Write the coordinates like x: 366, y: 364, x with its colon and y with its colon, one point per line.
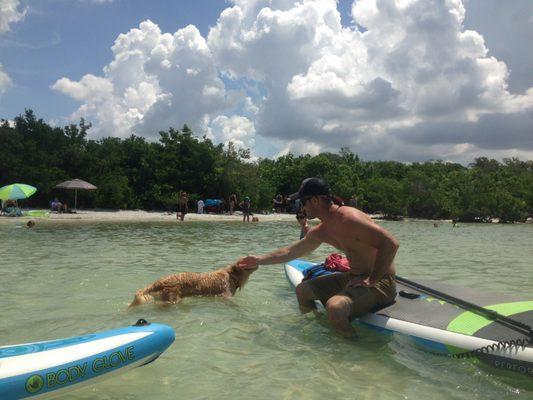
x: 134, y: 173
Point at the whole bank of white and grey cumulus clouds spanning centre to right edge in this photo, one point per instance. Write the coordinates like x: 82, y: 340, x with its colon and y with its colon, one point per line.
x: 412, y: 83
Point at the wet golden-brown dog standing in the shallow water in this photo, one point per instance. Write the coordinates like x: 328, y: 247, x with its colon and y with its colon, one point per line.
x: 171, y: 289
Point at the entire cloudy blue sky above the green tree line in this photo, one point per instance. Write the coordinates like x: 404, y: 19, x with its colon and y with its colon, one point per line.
x: 404, y: 80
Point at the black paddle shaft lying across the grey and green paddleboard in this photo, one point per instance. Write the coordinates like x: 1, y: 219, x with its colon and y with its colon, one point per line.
x: 515, y: 325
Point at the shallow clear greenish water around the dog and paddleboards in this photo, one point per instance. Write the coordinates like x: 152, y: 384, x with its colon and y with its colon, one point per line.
x: 61, y: 280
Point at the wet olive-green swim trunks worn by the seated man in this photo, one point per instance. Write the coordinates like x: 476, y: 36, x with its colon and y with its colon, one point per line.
x: 363, y: 299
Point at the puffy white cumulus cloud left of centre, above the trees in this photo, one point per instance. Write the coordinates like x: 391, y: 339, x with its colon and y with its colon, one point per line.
x: 155, y: 81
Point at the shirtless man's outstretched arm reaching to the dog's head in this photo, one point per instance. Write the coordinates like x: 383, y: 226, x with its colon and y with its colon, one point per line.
x: 297, y: 249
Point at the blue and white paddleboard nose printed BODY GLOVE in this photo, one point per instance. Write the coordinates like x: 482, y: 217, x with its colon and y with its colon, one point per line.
x: 46, y: 369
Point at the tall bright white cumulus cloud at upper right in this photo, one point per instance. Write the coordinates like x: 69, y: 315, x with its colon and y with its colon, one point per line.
x: 413, y: 63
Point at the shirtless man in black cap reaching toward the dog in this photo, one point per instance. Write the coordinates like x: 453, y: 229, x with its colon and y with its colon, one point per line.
x: 369, y: 248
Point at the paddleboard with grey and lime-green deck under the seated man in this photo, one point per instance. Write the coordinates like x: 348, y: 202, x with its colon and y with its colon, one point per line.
x: 442, y: 327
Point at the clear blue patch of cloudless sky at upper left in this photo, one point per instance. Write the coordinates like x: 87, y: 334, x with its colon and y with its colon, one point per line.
x: 72, y: 38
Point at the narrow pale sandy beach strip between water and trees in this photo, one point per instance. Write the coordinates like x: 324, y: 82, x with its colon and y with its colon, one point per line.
x: 136, y: 216
